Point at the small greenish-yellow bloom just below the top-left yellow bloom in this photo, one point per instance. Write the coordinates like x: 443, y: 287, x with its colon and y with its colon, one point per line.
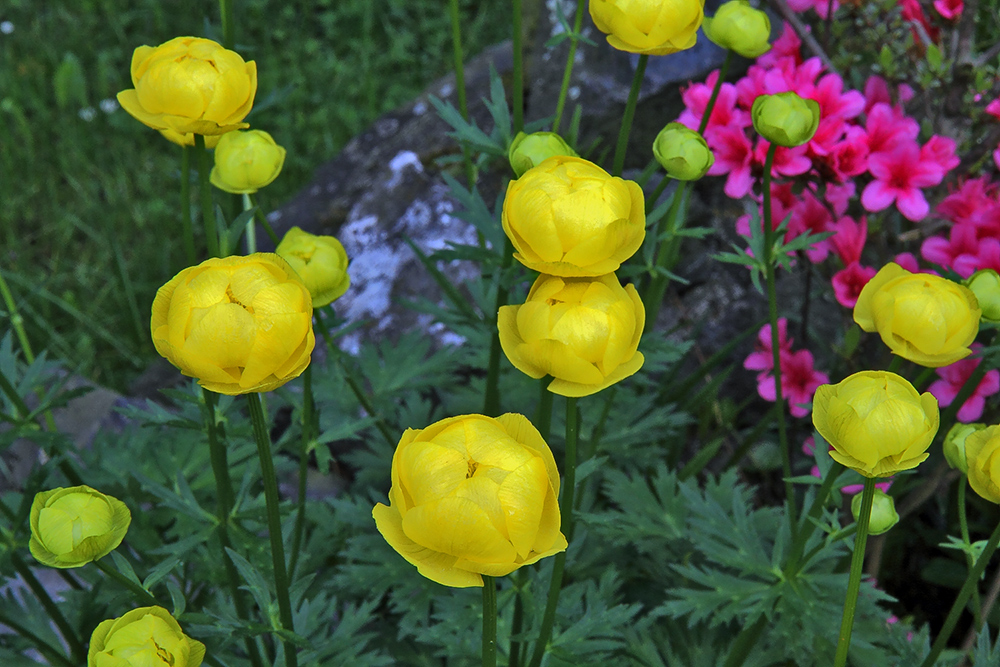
x: 246, y: 161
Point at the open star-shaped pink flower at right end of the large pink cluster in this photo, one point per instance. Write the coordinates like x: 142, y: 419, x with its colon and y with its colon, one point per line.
x: 899, y: 176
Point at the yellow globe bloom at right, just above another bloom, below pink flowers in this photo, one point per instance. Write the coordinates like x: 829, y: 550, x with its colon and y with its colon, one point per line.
x: 921, y: 317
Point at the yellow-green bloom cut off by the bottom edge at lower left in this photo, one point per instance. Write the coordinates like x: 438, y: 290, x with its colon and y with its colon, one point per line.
x: 143, y: 637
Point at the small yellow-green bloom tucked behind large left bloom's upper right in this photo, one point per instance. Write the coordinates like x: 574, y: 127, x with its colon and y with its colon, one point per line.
x: 320, y: 261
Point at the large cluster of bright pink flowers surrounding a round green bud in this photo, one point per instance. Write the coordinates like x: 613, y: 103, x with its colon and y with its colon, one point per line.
x: 865, y: 143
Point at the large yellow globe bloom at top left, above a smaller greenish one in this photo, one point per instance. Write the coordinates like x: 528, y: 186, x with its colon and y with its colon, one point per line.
x: 190, y: 85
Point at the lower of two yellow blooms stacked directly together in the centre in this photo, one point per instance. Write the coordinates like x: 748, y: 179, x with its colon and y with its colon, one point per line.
x: 583, y: 331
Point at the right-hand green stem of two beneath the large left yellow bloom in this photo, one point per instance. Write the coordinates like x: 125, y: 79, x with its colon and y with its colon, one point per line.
x: 273, y: 523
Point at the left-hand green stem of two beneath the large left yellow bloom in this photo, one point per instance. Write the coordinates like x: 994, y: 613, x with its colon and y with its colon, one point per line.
x: 224, y: 499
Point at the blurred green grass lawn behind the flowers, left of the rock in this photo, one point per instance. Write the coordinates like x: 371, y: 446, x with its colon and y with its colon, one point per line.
x: 89, y: 208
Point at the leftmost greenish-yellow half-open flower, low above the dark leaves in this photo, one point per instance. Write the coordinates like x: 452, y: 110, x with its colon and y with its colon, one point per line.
x: 73, y: 526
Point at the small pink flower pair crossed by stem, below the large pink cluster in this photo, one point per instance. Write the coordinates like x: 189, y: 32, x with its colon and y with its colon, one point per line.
x: 799, y: 379
